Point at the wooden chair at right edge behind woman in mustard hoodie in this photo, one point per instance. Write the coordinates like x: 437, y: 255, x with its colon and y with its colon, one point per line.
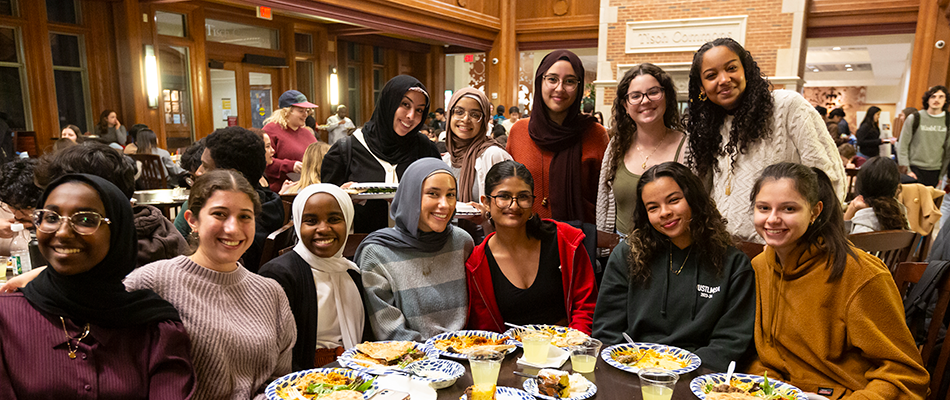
x: 906, y: 274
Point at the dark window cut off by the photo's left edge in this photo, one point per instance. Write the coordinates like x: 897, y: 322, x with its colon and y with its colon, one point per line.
x: 13, y: 101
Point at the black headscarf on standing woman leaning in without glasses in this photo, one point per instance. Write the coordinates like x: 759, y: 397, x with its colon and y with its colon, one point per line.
x: 382, y: 139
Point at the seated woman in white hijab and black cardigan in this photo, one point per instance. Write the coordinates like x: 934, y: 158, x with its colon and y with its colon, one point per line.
x: 315, y: 277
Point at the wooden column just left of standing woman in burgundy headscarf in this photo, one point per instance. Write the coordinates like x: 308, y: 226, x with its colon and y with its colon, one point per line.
x: 503, y: 77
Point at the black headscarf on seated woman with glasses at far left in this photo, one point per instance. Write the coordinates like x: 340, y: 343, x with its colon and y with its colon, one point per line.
x: 98, y: 296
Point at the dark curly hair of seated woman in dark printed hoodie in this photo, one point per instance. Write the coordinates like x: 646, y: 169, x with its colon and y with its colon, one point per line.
x: 707, y: 227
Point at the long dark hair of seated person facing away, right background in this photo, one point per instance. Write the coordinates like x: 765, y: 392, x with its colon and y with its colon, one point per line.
x: 878, y: 181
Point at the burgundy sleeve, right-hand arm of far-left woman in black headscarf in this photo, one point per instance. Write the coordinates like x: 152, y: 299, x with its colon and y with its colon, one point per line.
x: 171, y: 373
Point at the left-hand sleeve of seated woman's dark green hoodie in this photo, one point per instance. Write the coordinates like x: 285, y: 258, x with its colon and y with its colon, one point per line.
x: 610, y: 315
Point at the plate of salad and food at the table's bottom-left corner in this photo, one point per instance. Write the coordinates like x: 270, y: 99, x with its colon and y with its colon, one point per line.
x: 323, y: 384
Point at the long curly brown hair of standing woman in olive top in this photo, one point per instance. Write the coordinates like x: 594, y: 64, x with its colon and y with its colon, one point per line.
x: 624, y: 128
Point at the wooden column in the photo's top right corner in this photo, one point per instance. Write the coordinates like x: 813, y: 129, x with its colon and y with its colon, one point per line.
x: 930, y: 66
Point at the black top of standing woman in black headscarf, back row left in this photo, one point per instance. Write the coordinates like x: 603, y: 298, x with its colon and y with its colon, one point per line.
x: 349, y: 161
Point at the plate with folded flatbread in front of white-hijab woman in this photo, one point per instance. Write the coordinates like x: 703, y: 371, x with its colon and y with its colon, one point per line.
x: 385, y: 357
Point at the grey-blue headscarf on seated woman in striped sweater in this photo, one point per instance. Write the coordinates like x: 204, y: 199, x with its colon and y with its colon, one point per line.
x: 406, y: 208
